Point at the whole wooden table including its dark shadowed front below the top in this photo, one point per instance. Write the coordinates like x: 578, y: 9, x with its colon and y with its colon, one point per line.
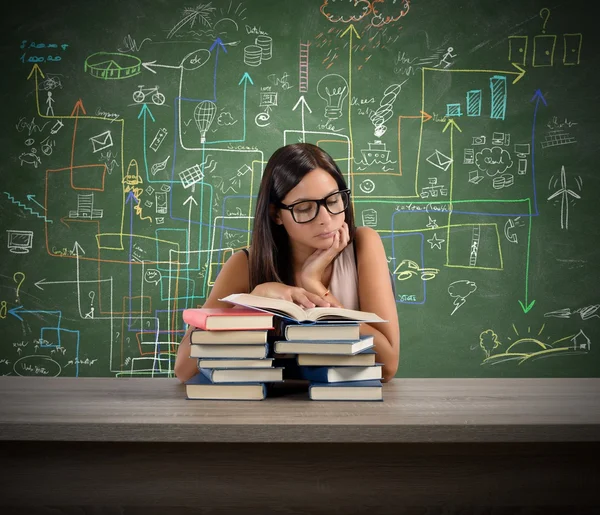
x: 432, y: 446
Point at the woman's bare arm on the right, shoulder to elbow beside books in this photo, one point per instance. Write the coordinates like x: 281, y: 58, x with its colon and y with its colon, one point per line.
x: 376, y: 295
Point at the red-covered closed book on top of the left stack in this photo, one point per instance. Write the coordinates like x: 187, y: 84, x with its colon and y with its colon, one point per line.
x: 227, y: 319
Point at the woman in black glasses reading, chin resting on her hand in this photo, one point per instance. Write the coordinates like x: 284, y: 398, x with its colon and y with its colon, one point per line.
x: 306, y: 248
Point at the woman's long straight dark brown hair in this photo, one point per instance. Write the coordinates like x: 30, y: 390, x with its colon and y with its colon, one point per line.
x: 270, y: 253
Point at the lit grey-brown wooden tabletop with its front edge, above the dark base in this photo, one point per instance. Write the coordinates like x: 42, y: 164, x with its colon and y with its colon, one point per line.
x: 414, y: 410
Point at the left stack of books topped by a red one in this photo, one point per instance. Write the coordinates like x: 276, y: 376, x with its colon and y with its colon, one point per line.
x: 230, y: 346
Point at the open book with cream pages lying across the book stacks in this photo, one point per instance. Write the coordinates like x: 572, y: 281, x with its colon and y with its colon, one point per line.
x: 290, y: 310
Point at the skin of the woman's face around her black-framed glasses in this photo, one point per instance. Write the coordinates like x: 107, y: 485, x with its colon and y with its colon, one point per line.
x: 318, y: 233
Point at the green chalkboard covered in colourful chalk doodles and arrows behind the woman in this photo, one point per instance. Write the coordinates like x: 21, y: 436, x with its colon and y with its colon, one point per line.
x: 135, y: 134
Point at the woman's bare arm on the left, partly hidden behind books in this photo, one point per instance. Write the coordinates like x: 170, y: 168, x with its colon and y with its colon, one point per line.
x: 233, y: 278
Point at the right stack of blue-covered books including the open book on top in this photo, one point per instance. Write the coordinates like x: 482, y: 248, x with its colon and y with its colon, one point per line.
x: 338, y: 363
